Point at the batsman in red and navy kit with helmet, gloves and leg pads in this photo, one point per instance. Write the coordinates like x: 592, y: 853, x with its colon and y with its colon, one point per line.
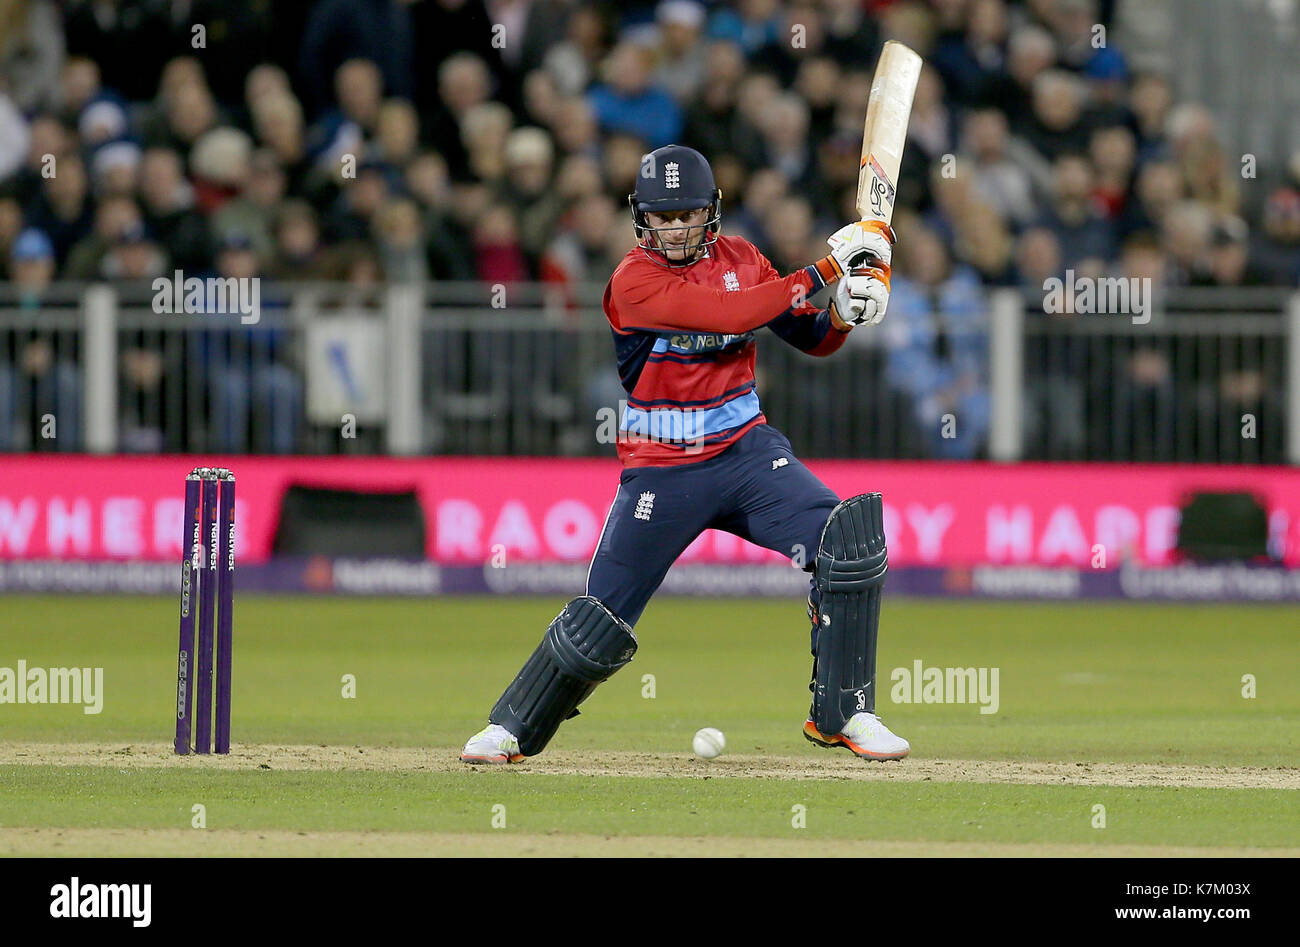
x: 686, y: 306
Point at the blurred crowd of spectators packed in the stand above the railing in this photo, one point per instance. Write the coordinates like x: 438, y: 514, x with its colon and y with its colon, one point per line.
x: 410, y: 141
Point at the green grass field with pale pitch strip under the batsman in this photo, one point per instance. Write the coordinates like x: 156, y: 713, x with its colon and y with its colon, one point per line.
x: 1134, y: 708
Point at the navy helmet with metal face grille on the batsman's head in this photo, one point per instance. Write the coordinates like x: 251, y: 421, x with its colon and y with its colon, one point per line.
x: 675, y: 179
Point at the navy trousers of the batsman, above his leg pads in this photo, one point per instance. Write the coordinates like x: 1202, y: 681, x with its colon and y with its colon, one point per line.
x: 756, y: 490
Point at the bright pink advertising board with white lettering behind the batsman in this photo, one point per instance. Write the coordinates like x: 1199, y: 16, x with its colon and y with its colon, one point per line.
x: 552, y: 511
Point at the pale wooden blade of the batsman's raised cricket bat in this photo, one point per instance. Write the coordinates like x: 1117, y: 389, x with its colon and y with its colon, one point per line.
x: 886, y: 131
